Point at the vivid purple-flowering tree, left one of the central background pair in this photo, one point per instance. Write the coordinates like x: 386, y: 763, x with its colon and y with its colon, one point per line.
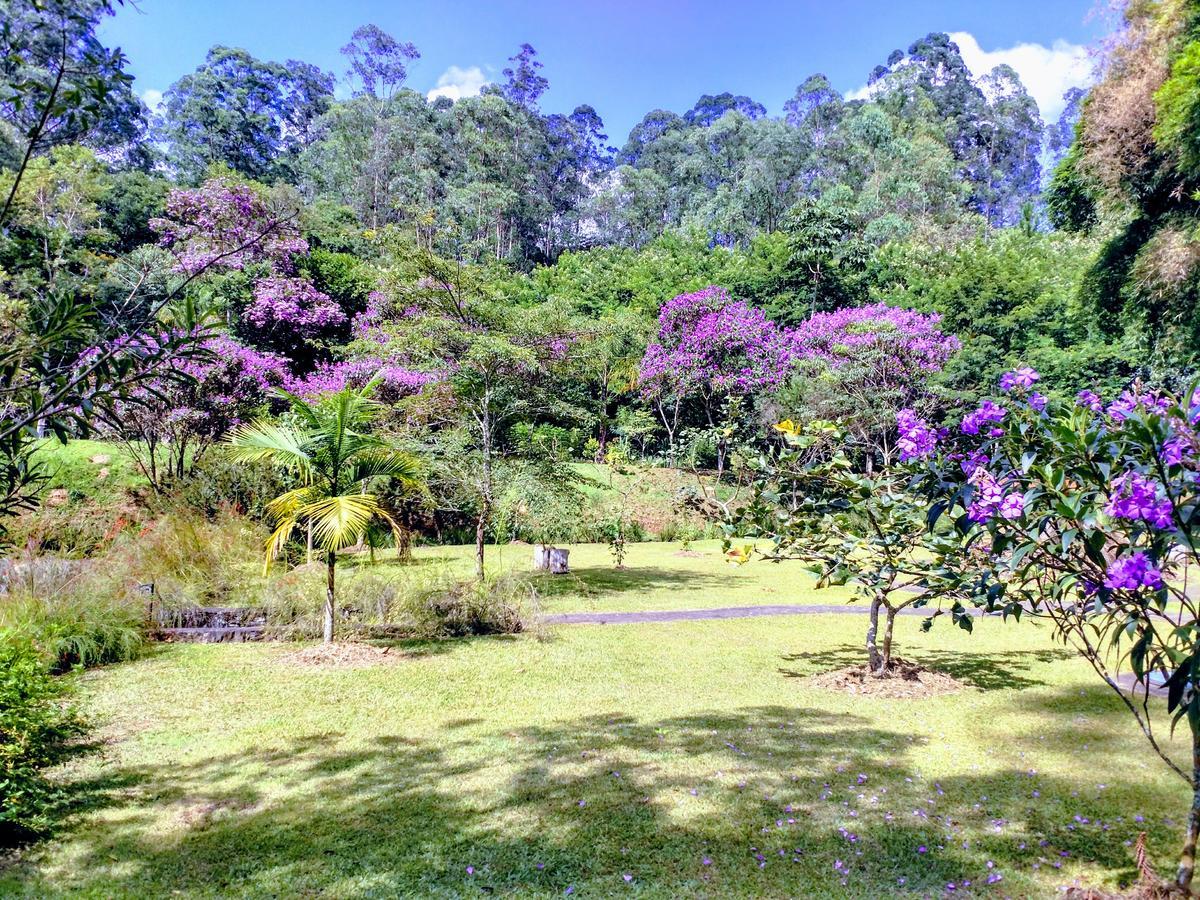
x: 711, y: 353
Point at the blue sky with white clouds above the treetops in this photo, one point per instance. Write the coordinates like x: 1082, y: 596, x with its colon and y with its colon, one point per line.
x: 623, y: 57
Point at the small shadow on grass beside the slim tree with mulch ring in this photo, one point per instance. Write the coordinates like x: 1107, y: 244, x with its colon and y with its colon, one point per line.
x: 1007, y: 670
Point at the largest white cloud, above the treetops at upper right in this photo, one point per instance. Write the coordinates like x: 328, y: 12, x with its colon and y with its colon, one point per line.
x: 1047, y: 73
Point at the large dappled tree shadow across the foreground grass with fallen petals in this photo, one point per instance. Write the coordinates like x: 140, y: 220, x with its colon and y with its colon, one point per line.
x: 759, y: 801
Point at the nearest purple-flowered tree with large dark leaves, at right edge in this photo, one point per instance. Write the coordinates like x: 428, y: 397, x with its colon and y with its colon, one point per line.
x: 1085, y: 513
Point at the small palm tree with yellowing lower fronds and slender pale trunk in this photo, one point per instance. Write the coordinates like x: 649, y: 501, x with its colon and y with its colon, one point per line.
x: 329, y: 452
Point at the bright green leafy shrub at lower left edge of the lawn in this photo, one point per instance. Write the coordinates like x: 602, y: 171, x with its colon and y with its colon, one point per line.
x: 38, y: 730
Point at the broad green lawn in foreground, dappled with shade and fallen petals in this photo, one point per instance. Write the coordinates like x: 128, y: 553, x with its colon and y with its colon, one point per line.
x: 689, y: 758
